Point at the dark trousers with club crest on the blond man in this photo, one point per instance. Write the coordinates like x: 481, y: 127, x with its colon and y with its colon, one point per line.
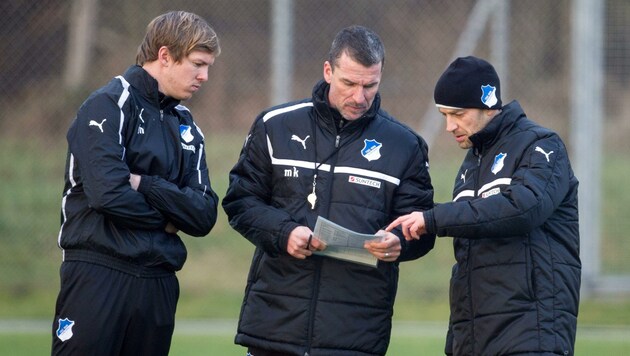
x: 102, y: 311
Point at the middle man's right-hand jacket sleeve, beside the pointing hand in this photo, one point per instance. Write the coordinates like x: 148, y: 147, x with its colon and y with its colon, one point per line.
x: 415, y: 193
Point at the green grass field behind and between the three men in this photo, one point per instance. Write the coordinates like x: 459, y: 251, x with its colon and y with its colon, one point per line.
x: 213, y: 279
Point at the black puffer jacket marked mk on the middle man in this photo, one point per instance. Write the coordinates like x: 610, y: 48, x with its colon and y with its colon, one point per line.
x: 323, y: 306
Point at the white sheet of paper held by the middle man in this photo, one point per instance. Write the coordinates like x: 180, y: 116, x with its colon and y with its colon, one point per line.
x: 343, y: 243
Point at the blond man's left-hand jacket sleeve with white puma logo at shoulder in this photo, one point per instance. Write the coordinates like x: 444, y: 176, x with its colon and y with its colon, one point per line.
x: 95, y: 142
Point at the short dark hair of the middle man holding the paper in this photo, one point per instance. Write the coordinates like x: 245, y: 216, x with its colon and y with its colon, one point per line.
x: 360, y: 43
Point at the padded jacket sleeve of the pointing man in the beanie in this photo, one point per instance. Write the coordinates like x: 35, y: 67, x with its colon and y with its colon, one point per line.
x: 536, y: 190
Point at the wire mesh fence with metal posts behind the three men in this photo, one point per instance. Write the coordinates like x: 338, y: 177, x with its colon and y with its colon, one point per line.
x: 55, y: 52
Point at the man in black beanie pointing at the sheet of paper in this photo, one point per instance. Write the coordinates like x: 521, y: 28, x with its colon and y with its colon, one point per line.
x: 514, y: 218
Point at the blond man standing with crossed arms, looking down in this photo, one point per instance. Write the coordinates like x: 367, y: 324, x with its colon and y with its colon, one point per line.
x: 135, y: 175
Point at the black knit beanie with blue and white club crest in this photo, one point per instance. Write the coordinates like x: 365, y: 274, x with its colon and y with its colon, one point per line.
x: 468, y: 82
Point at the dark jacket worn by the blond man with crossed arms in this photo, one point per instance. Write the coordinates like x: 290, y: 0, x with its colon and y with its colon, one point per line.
x: 128, y: 127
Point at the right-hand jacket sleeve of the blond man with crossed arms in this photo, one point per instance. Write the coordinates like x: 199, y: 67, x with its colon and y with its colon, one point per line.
x: 192, y: 208
